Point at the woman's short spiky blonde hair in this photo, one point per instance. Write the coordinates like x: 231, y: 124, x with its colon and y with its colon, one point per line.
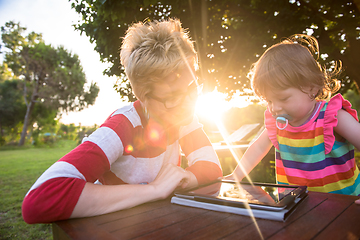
x: 152, y: 50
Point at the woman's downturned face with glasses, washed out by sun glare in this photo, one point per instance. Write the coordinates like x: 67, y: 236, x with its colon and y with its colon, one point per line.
x: 172, y: 102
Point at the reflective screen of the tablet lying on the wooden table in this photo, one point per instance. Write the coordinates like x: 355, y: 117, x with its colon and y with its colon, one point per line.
x: 245, y: 192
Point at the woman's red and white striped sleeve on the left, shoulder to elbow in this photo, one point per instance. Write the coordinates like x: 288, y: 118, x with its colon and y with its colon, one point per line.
x: 55, y: 194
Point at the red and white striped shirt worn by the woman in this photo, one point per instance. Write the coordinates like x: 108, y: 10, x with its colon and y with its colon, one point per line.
x: 125, y: 149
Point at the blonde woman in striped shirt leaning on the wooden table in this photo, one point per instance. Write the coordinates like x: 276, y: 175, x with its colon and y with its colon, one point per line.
x: 134, y: 157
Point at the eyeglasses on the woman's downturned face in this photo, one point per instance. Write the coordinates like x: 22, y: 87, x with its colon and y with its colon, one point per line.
x: 193, y: 91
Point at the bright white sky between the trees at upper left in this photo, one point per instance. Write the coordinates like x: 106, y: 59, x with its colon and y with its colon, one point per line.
x: 54, y: 19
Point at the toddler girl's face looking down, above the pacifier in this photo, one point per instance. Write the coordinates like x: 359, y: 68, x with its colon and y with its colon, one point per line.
x: 292, y: 101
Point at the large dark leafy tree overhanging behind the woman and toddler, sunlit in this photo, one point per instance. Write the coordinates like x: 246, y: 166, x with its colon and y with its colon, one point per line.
x: 230, y: 35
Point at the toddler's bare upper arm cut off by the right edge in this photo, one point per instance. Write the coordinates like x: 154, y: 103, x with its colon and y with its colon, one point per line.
x: 348, y: 128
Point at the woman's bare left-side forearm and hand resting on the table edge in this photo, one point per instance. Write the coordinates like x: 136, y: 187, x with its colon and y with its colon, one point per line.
x: 100, y: 199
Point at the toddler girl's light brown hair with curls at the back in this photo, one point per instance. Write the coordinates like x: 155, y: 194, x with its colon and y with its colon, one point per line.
x: 291, y: 63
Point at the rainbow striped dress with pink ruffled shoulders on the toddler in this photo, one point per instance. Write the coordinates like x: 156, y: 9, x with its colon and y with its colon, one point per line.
x: 309, y: 155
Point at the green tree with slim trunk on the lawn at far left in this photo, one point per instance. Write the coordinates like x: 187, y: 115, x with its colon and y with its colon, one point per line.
x: 51, y: 77
